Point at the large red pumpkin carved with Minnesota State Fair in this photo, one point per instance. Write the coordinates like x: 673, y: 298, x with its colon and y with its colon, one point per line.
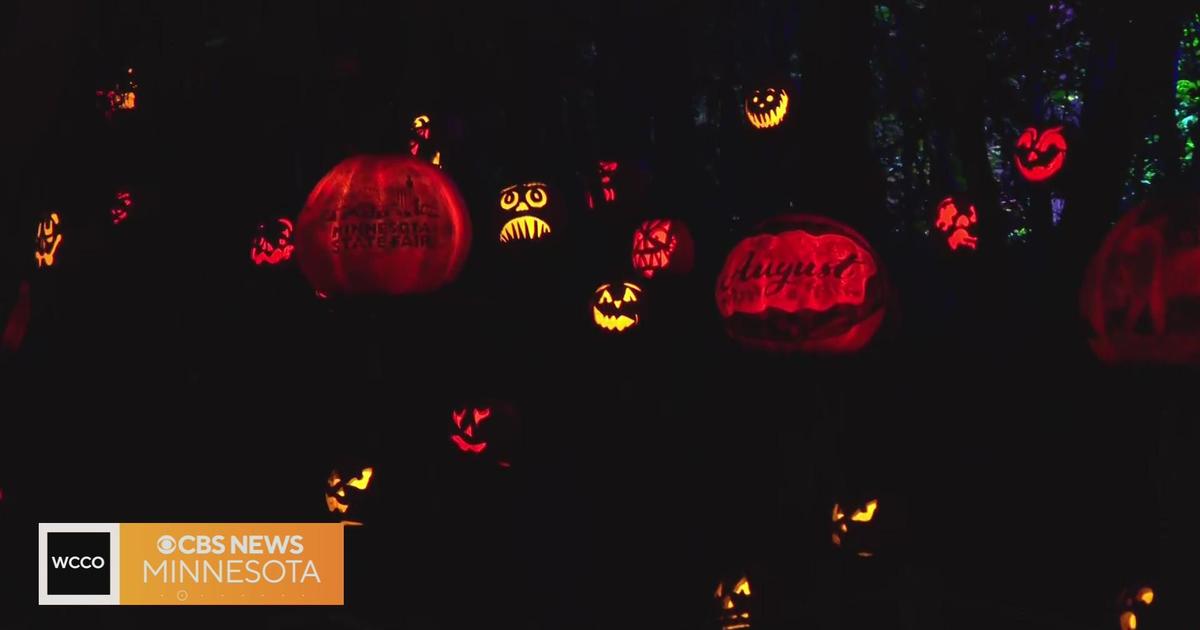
x: 383, y: 225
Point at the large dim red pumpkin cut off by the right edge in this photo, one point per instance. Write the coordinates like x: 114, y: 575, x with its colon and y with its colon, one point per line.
x: 1142, y: 293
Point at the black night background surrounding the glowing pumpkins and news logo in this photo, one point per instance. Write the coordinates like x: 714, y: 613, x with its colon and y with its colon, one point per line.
x: 166, y: 379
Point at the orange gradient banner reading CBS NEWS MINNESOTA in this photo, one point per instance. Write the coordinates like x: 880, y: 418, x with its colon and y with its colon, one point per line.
x: 231, y: 565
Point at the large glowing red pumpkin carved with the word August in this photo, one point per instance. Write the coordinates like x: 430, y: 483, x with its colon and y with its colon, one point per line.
x: 806, y: 284
